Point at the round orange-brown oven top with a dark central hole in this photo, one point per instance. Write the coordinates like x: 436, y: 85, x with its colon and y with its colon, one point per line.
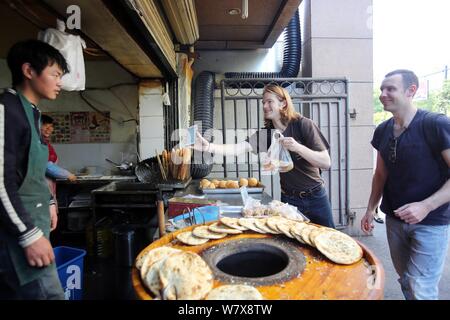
x: 280, y: 268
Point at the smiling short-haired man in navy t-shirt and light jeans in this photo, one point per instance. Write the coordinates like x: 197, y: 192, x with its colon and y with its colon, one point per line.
x: 412, y: 175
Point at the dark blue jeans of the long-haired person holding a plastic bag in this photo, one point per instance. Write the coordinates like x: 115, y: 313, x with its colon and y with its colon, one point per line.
x: 316, y: 206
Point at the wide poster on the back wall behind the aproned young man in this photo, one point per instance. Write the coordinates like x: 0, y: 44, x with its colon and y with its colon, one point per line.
x: 81, y: 127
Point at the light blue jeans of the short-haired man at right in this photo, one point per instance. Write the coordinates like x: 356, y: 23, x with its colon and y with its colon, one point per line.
x: 418, y: 253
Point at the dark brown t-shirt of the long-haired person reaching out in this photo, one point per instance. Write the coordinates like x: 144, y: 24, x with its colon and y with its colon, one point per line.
x: 304, y: 176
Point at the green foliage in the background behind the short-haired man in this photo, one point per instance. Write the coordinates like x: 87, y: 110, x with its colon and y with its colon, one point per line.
x: 438, y: 101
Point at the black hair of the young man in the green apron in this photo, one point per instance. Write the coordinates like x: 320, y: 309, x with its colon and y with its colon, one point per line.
x: 38, y: 54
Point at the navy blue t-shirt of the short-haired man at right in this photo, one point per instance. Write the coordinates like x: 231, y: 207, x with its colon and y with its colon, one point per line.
x: 414, y: 173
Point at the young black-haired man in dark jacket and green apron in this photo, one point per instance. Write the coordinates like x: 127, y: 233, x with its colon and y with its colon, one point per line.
x: 27, y: 268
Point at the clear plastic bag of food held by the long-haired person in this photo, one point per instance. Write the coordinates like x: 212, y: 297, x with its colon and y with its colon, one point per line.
x: 277, y: 159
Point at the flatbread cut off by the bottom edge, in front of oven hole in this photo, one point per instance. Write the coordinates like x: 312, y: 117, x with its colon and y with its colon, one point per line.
x: 234, y: 292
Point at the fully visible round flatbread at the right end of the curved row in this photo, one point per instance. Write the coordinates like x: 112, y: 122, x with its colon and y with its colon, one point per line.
x: 338, y: 247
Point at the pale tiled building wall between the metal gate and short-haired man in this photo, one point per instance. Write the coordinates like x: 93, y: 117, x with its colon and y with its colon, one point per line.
x: 338, y: 42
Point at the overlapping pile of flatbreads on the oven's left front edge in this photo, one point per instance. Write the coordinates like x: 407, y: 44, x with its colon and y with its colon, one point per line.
x: 173, y: 274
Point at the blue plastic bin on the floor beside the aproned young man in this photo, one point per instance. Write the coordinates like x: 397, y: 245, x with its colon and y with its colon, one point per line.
x: 69, y: 263
